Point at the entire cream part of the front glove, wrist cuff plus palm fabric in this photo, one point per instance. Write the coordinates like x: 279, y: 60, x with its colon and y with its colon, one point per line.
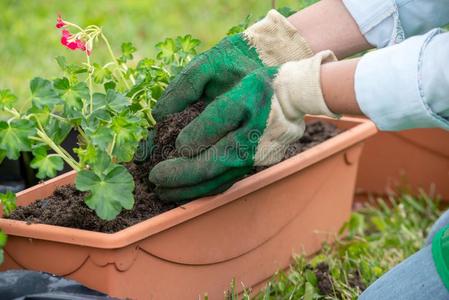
x: 297, y: 91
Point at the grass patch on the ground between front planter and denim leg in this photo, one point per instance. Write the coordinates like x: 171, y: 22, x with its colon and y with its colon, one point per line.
x: 378, y: 237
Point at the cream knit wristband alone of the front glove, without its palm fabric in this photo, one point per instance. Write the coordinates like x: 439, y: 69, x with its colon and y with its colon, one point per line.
x: 298, y: 87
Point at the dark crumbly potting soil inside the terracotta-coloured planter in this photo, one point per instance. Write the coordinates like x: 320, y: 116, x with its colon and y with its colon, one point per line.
x: 66, y: 206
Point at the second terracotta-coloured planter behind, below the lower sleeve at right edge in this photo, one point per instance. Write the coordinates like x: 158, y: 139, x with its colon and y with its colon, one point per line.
x: 412, y: 160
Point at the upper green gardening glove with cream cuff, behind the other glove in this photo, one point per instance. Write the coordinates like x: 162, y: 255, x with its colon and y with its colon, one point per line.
x: 270, y: 42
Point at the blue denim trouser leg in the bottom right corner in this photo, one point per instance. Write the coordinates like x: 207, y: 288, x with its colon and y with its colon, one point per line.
x: 416, y: 278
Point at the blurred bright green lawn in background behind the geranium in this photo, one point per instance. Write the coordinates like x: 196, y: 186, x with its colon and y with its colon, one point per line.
x: 30, y: 40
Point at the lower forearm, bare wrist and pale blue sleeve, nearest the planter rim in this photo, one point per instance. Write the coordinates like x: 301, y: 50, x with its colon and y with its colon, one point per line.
x: 400, y: 87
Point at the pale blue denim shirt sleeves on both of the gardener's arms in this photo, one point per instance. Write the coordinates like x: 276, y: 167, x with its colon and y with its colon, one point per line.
x: 406, y: 85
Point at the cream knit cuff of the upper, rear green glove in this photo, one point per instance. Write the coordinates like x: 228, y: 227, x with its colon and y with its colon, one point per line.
x: 276, y: 40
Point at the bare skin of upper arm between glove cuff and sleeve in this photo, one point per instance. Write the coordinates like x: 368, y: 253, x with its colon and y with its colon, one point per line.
x: 328, y: 25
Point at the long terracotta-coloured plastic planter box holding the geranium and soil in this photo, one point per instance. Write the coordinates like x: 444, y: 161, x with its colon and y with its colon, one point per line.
x: 248, y: 233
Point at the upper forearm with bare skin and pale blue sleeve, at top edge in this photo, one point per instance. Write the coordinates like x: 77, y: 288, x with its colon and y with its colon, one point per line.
x: 351, y: 26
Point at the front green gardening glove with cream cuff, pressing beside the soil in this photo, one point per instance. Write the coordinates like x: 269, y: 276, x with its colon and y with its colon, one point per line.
x: 250, y: 125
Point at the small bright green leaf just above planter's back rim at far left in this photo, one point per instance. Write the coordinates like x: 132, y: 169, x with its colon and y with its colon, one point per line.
x: 47, y: 165
